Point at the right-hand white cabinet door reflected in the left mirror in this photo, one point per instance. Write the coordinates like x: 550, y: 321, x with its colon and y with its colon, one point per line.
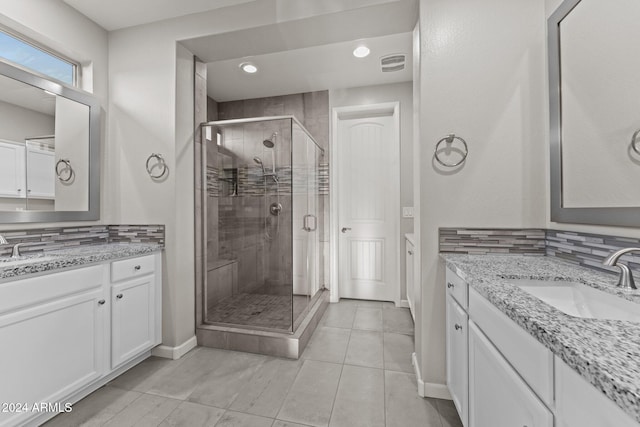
x: 40, y: 173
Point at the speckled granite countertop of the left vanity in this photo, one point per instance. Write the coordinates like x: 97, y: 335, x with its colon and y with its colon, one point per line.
x: 72, y: 257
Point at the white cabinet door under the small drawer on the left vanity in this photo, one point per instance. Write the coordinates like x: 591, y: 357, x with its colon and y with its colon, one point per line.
x: 132, y: 319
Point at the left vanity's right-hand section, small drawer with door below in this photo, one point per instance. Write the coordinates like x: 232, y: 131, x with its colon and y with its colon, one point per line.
x: 135, y: 322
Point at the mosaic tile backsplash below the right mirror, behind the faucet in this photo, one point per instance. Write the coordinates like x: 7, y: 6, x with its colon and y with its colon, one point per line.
x: 590, y: 250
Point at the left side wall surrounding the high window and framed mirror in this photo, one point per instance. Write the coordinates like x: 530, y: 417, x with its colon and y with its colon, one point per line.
x: 63, y: 29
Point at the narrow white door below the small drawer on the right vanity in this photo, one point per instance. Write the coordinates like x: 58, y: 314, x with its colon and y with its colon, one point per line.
x: 457, y: 356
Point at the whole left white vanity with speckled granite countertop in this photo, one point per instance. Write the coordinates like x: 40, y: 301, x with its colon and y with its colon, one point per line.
x: 71, y: 320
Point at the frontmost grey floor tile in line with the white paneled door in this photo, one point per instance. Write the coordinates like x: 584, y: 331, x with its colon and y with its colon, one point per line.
x: 360, y: 398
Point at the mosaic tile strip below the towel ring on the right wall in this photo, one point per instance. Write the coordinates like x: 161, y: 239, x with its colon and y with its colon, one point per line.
x: 480, y: 241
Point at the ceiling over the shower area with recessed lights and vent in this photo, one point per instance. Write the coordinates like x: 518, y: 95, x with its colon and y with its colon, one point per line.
x: 331, y: 66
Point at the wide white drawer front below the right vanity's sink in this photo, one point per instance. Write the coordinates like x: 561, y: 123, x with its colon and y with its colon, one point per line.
x: 532, y: 360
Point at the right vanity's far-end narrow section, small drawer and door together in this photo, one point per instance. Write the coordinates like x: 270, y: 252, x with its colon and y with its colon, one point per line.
x: 457, y: 343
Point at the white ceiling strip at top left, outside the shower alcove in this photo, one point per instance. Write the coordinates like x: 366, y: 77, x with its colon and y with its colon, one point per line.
x: 116, y: 14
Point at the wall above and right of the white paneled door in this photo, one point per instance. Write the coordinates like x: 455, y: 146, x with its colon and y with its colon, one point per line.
x: 397, y: 92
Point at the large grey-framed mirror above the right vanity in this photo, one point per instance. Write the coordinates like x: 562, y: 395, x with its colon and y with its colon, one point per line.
x: 595, y: 112
